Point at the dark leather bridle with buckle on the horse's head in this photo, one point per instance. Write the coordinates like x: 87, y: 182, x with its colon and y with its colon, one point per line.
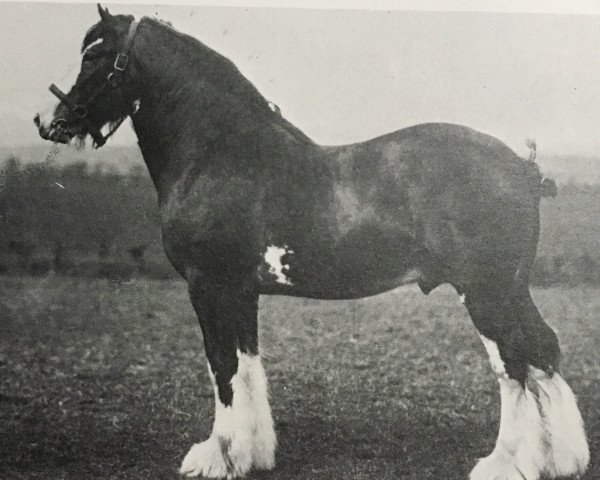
x: 113, y: 81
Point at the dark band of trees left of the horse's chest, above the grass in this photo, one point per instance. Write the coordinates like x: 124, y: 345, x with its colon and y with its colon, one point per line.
x: 71, y: 219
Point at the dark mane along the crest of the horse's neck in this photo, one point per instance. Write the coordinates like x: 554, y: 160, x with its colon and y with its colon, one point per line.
x: 224, y: 74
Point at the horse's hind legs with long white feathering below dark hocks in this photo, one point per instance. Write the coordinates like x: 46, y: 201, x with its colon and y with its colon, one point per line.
x: 541, y: 430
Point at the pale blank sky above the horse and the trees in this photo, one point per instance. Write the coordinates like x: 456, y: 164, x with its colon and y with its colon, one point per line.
x: 349, y: 75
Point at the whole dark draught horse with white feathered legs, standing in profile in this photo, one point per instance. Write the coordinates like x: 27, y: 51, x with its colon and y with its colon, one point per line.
x: 250, y: 205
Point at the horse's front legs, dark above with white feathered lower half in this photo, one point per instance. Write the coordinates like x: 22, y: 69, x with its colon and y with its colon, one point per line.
x: 243, y: 436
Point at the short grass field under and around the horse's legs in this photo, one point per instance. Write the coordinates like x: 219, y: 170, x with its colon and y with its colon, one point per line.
x: 100, y: 380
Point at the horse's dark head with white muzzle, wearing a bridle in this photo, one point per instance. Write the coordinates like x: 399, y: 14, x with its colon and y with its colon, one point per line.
x: 98, y: 96
